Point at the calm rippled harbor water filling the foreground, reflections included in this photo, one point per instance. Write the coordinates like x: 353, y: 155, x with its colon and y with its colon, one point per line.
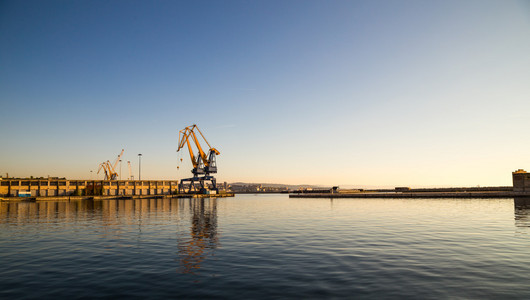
x: 266, y: 246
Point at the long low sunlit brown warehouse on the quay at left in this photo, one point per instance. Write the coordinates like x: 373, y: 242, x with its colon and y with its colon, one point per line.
x: 63, y: 187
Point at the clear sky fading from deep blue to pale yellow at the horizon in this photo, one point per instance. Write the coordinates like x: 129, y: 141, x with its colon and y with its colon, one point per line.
x: 349, y: 93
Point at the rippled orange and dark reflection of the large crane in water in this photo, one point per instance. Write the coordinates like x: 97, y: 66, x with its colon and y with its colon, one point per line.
x: 201, y: 241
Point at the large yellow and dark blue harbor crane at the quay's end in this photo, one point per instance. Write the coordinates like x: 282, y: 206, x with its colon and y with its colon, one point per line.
x: 204, y: 163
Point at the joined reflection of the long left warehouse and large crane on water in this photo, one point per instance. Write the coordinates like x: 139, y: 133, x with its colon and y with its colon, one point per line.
x: 196, y: 221
